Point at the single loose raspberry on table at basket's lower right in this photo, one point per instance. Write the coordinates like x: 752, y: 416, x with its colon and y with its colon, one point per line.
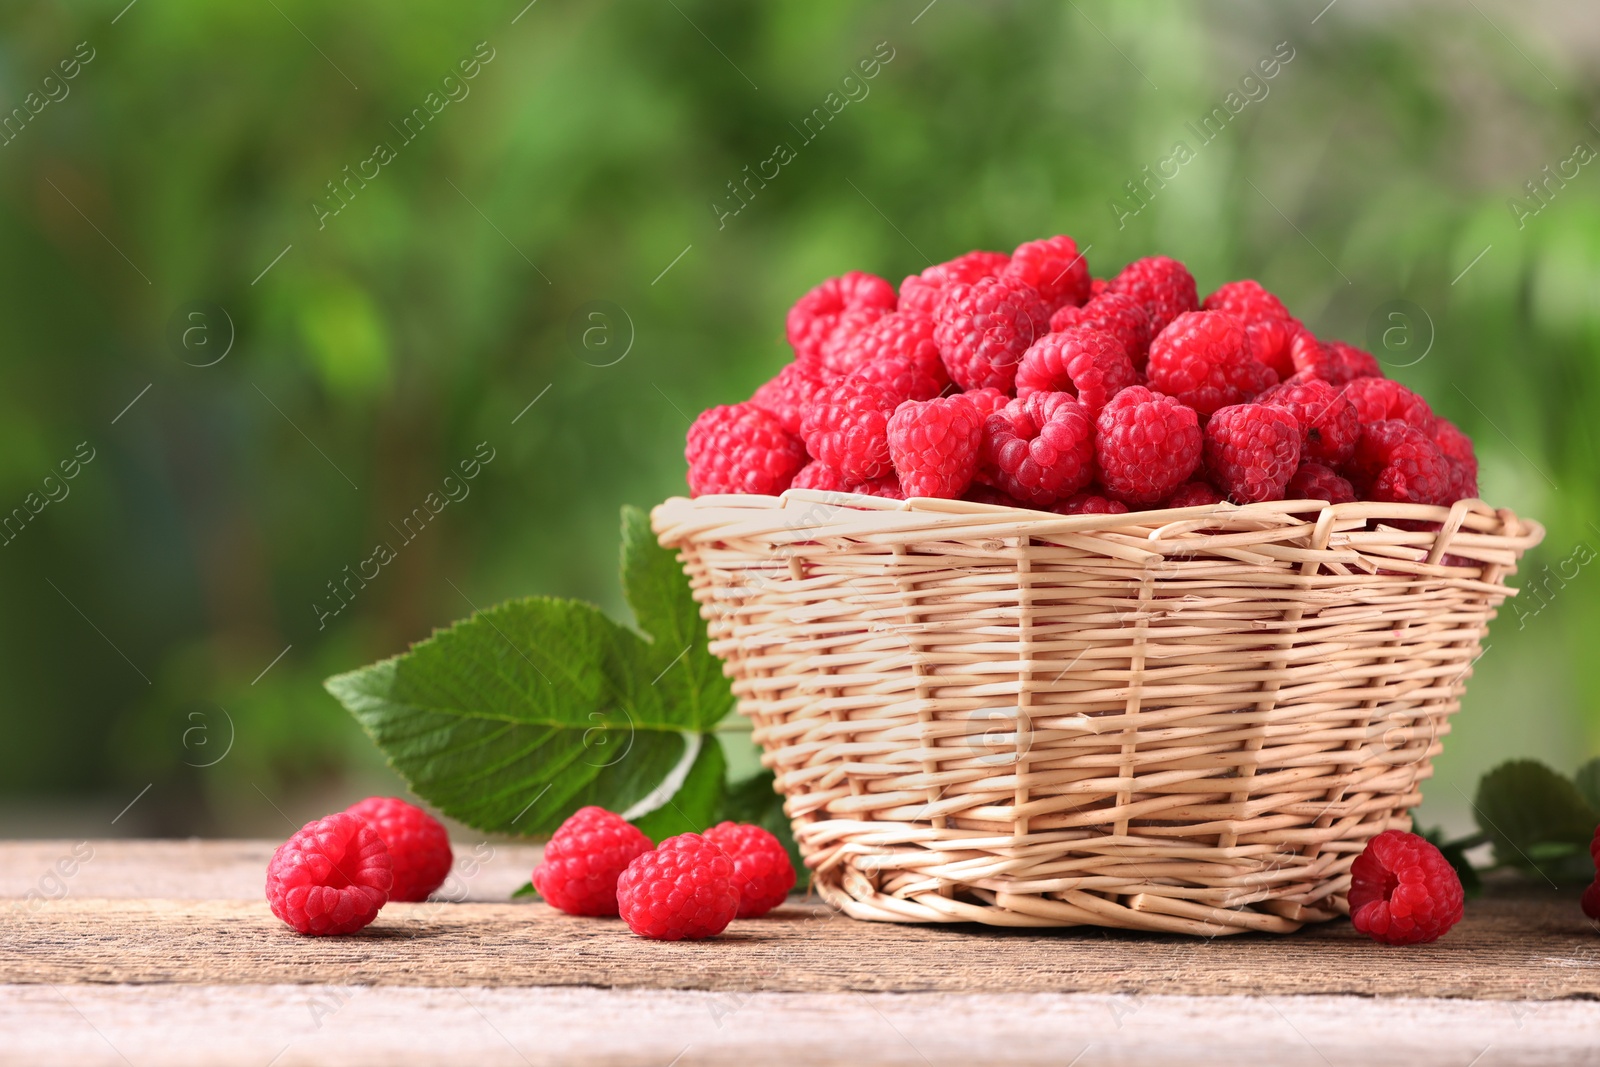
x: 1404, y: 892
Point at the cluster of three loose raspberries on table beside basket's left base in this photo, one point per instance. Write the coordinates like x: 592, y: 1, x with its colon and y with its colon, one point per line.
x: 689, y: 887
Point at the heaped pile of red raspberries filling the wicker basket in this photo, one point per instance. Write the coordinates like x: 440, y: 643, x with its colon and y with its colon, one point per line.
x: 1020, y: 380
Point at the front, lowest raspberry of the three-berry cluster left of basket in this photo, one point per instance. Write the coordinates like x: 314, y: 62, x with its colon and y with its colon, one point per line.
x: 681, y: 890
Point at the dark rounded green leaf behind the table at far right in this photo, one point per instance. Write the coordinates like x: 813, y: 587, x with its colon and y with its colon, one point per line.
x: 1534, y: 817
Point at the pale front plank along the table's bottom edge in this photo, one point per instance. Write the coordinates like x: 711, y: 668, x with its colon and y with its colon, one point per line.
x: 294, y: 1026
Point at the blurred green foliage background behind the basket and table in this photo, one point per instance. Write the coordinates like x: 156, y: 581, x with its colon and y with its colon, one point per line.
x: 175, y: 604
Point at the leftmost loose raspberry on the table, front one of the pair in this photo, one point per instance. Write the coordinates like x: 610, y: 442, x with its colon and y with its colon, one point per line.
x: 330, y: 877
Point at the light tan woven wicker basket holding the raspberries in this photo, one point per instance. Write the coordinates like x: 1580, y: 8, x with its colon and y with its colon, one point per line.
x: 1185, y: 721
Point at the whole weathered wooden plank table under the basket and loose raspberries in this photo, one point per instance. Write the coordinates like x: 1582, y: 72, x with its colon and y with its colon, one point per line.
x: 164, y: 953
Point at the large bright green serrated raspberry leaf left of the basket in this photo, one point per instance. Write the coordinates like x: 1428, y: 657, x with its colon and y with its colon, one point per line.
x: 518, y: 716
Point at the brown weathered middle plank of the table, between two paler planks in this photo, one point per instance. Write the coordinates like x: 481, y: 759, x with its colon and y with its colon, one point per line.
x: 1519, y: 946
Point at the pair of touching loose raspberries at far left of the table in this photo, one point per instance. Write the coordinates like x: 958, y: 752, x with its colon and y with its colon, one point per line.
x: 335, y: 873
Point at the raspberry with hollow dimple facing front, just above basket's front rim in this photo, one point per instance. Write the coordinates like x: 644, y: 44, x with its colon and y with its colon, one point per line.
x: 1041, y: 449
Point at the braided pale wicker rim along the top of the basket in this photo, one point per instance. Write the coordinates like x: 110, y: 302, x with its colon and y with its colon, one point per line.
x: 682, y: 519
